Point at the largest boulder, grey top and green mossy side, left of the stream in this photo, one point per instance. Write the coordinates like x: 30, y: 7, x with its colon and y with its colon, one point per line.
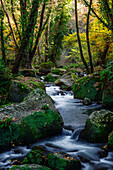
x: 33, y: 119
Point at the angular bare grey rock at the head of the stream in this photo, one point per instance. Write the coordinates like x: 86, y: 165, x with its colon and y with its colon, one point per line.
x: 65, y: 82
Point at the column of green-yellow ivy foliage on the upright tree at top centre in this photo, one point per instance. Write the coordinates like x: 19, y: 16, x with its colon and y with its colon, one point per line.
x: 58, y: 28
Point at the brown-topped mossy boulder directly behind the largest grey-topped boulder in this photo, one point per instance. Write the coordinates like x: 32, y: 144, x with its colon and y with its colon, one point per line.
x: 22, y: 86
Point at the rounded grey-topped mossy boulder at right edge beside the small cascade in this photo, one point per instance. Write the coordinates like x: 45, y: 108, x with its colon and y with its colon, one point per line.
x: 98, y: 126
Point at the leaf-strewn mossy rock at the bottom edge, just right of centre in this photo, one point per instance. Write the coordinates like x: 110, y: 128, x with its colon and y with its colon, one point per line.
x: 62, y: 161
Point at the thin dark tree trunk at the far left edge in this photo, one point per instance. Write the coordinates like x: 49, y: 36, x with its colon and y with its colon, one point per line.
x: 2, y: 38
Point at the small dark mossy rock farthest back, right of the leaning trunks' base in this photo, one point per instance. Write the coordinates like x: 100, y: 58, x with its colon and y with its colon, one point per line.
x: 45, y: 68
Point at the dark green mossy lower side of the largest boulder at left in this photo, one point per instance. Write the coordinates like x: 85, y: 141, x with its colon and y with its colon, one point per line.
x: 31, y: 128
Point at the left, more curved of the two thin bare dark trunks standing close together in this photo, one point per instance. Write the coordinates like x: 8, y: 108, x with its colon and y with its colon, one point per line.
x: 79, y: 41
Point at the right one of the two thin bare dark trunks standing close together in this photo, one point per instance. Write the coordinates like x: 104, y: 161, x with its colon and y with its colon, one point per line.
x: 87, y: 36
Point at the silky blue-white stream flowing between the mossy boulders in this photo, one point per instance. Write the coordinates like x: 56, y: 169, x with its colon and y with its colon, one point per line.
x: 74, y: 116
